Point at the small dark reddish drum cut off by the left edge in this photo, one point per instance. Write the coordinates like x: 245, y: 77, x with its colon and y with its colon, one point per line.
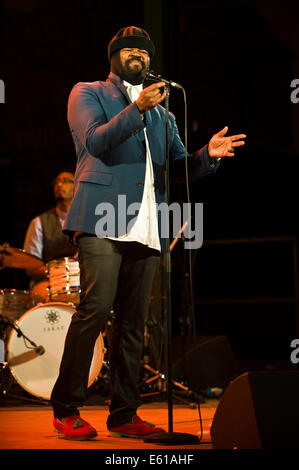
x: 13, y: 303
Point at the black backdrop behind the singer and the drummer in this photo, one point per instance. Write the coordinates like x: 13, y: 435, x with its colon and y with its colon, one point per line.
x: 236, y: 61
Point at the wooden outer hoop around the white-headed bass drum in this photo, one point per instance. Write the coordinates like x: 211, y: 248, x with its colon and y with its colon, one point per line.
x: 100, y: 338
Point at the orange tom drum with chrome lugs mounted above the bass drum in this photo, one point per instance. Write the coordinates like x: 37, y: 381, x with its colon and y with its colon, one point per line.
x: 64, y: 280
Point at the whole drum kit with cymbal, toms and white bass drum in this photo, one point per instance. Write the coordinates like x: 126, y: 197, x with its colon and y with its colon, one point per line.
x: 34, y: 323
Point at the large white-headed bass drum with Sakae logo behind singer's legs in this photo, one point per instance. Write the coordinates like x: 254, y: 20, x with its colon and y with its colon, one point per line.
x: 46, y: 325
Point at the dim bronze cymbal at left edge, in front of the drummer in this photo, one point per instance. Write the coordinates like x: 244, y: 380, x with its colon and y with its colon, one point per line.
x: 16, y: 258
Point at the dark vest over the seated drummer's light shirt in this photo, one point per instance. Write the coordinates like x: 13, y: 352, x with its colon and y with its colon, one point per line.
x: 55, y: 243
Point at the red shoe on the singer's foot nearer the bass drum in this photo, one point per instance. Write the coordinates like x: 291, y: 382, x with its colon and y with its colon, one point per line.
x: 74, y: 428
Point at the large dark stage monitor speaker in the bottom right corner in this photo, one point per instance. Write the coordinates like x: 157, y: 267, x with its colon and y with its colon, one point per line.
x: 258, y: 410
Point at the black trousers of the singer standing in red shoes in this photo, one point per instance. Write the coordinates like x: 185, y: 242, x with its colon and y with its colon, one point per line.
x: 109, y: 271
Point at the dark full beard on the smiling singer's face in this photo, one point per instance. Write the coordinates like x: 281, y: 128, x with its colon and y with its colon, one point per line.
x: 133, y: 70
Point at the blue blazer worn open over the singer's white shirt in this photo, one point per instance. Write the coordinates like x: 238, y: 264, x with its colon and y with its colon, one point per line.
x: 107, y: 132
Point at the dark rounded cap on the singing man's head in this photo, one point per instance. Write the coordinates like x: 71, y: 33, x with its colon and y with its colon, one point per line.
x: 131, y: 36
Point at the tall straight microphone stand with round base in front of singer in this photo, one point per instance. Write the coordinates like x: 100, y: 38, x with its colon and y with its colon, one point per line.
x: 169, y: 437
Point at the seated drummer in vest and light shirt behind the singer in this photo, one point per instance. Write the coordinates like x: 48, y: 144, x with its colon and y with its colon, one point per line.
x: 44, y: 237
